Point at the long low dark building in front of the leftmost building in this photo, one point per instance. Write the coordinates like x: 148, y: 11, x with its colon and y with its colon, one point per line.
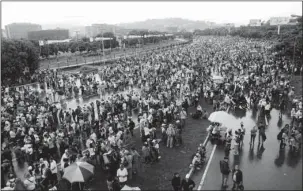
x: 55, y: 34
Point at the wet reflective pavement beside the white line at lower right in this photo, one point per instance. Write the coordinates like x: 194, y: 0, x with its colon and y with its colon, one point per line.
x: 263, y: 169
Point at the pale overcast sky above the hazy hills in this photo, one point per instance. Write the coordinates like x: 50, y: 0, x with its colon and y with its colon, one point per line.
x: 86, y: 13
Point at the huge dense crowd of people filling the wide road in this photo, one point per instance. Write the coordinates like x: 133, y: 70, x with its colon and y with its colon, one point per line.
x: 160, y: 88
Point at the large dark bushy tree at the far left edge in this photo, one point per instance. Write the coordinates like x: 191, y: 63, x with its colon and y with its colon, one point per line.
x: 16, y: 56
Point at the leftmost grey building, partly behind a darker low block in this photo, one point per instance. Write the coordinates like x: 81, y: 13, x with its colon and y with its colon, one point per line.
x: 20, y: 30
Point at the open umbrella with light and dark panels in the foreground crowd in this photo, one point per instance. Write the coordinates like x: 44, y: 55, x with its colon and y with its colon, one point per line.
x: 78, y: 172
